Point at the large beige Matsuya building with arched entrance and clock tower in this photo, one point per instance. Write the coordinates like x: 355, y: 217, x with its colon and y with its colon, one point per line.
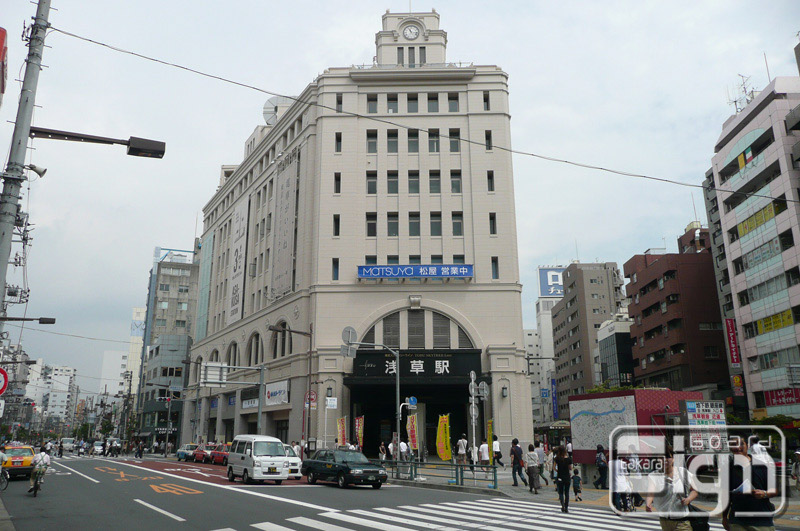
x: 379, y: 199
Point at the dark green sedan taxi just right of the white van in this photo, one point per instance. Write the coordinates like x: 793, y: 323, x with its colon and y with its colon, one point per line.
x: 345, y: 467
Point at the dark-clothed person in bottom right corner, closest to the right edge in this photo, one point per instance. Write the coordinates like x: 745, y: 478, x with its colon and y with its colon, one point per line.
x: 748, y: 496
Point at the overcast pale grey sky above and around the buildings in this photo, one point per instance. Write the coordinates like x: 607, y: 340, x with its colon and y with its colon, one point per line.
x: 637, y: 86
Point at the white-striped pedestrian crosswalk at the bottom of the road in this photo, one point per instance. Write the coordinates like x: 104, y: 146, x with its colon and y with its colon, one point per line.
x: 490, y: 514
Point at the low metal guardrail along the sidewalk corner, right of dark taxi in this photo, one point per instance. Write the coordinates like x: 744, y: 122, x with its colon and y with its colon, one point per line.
x: 441, y: 472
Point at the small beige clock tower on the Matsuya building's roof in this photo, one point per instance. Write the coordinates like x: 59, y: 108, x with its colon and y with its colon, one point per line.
x: 411, y: 40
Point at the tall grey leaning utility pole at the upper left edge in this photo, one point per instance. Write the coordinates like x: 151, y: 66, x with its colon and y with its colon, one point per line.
x: 14, y: 175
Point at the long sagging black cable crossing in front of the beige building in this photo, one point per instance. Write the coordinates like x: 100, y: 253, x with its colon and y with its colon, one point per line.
x: 403, y: 126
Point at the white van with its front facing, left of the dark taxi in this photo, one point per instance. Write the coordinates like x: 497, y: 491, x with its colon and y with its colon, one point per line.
x: 257, y: 457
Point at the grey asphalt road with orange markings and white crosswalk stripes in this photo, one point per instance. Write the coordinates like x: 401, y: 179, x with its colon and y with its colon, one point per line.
x: 107, y: 493
